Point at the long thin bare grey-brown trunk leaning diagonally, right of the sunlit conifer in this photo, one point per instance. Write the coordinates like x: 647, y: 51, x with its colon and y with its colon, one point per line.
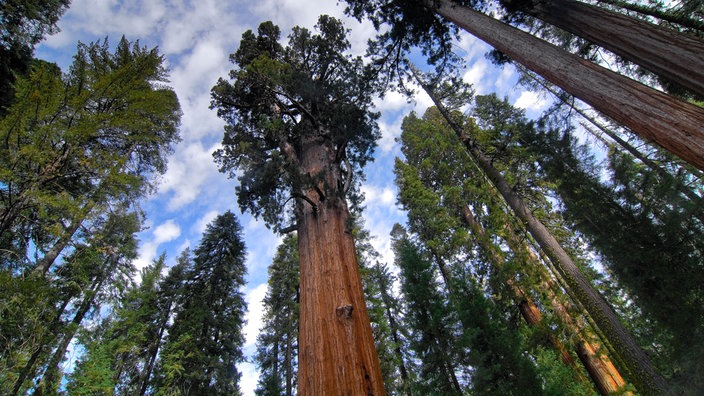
x: 643, y: 373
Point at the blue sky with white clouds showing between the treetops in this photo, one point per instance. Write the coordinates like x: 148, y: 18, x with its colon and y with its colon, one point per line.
x: 196, y: 37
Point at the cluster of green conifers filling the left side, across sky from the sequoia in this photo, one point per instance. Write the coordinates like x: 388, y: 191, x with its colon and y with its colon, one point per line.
x: 79, y: 150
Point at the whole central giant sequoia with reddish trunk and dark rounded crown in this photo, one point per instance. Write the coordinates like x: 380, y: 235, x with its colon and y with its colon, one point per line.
x: 298, y: 130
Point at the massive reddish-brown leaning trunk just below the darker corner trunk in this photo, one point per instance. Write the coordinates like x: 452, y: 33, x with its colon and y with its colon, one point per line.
x: 655, y: 116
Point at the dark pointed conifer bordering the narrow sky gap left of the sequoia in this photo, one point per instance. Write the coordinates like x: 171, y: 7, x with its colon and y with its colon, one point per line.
x: 204, y: 343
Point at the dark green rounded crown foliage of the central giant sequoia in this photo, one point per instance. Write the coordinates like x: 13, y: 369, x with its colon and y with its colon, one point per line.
x: 280, y: 102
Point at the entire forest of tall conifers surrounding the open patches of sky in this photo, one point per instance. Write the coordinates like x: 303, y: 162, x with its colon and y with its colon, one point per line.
x: 556, y: 254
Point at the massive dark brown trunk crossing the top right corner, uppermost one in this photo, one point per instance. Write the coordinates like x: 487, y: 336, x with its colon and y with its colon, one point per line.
x: 673, y: 56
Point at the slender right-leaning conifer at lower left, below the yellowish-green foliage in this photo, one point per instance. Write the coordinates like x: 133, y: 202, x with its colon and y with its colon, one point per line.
x: 95, y: 273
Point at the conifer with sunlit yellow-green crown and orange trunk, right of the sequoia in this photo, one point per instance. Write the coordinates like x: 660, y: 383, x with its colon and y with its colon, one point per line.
x: 439, y: 186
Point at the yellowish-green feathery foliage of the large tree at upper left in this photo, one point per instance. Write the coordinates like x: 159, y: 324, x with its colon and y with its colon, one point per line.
x: 71, y: 144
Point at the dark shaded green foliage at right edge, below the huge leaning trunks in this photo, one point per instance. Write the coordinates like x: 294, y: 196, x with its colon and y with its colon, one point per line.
x: 648, y: 234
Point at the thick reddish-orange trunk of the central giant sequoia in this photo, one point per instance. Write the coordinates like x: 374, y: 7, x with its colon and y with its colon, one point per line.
x: 337, y: 355
